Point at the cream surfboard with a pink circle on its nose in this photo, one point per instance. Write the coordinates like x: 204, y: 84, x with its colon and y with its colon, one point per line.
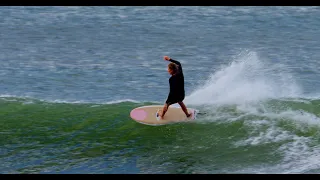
x: 149, y: 115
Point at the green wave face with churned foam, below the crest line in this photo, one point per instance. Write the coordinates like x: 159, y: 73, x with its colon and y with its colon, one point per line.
x: 272, y: 136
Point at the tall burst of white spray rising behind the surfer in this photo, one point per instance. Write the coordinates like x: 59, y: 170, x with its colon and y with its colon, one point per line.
x: 247, y: 79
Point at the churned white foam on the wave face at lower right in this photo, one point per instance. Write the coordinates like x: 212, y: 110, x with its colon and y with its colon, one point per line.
x: 298, y: 155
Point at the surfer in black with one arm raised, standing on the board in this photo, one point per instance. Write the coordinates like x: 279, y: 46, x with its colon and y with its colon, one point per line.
x: 177, y: 92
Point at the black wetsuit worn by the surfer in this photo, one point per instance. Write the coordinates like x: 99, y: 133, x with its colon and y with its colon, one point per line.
x: 176, y: 82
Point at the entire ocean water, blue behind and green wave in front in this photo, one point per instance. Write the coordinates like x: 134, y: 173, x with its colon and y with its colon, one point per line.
x: 71, y: 75
